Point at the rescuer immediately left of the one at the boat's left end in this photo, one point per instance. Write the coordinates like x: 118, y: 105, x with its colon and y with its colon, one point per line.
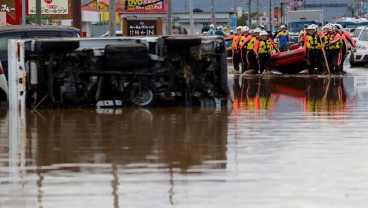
x: 249, y: 45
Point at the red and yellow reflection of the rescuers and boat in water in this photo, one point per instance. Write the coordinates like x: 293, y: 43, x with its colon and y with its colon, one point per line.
x: 313, y: 94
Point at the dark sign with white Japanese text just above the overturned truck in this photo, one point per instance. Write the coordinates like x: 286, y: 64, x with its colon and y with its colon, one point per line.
x: 142, y: 27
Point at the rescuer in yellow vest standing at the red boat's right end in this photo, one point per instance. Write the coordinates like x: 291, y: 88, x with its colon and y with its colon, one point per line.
x: 312, y: 50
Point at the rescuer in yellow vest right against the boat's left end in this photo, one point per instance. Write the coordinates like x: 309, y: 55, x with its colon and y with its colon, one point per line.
x: 263, y: 49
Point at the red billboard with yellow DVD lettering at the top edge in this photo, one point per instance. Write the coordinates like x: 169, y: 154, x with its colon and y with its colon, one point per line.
x: 143, y: 6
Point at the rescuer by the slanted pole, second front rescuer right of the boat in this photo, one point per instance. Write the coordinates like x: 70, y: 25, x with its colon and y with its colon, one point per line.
x: 333, y: 44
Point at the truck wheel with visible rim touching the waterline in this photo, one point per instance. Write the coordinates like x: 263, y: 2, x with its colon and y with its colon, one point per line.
x: 143, y: 94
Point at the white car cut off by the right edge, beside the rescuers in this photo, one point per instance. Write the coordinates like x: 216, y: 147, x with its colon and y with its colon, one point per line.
x: 359, y: 57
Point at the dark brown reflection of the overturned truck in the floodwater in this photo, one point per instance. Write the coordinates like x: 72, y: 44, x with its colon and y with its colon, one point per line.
x: 173, y: 137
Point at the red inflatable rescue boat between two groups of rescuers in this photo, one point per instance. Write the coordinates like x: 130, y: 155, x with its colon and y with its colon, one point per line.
x: 289, y: 62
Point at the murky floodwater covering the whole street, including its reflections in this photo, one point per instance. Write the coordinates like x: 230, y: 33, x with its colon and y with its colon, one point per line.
x: 285, y: 142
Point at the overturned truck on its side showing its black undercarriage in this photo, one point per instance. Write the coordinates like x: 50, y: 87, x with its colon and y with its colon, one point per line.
x: 111, y: 72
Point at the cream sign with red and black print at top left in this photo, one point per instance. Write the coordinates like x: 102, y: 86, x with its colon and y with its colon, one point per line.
x: 59, y: 7
